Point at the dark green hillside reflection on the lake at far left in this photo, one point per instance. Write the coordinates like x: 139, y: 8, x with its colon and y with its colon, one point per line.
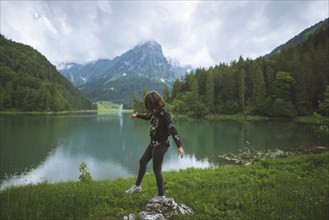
x: 27, y: 140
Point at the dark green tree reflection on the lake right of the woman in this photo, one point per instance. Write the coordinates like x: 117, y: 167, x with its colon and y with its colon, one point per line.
x: 209, y: 138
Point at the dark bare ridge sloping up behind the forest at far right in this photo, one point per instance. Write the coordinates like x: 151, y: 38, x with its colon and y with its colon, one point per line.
x: 300, y: 38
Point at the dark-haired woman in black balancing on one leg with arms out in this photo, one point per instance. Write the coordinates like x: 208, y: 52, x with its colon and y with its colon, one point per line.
x: 161, y: 128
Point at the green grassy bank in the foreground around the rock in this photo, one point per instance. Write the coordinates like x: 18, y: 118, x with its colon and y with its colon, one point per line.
x: 288, y: 188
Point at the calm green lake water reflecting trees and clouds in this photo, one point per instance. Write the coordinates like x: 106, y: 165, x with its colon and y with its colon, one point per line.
x: 51, y: 147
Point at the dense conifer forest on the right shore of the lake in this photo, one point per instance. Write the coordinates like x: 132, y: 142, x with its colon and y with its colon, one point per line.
x: 293, y: 82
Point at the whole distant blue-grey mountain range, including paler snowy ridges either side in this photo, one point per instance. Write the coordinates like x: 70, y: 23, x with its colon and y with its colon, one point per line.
x: 116, y: 80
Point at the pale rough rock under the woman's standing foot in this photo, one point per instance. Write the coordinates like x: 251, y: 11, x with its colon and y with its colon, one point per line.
x: 165, y: 210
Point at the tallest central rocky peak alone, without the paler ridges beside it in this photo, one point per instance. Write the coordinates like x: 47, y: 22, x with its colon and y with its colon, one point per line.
x: 143, y: 66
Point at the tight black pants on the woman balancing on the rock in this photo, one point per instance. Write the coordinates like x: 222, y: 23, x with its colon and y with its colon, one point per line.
x: 157, y: 153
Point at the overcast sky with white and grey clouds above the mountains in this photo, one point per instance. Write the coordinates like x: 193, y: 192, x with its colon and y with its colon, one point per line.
x: 200, y: 33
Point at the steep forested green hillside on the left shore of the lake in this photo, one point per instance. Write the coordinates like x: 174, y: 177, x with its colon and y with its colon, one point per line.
x: 28, y: 82
